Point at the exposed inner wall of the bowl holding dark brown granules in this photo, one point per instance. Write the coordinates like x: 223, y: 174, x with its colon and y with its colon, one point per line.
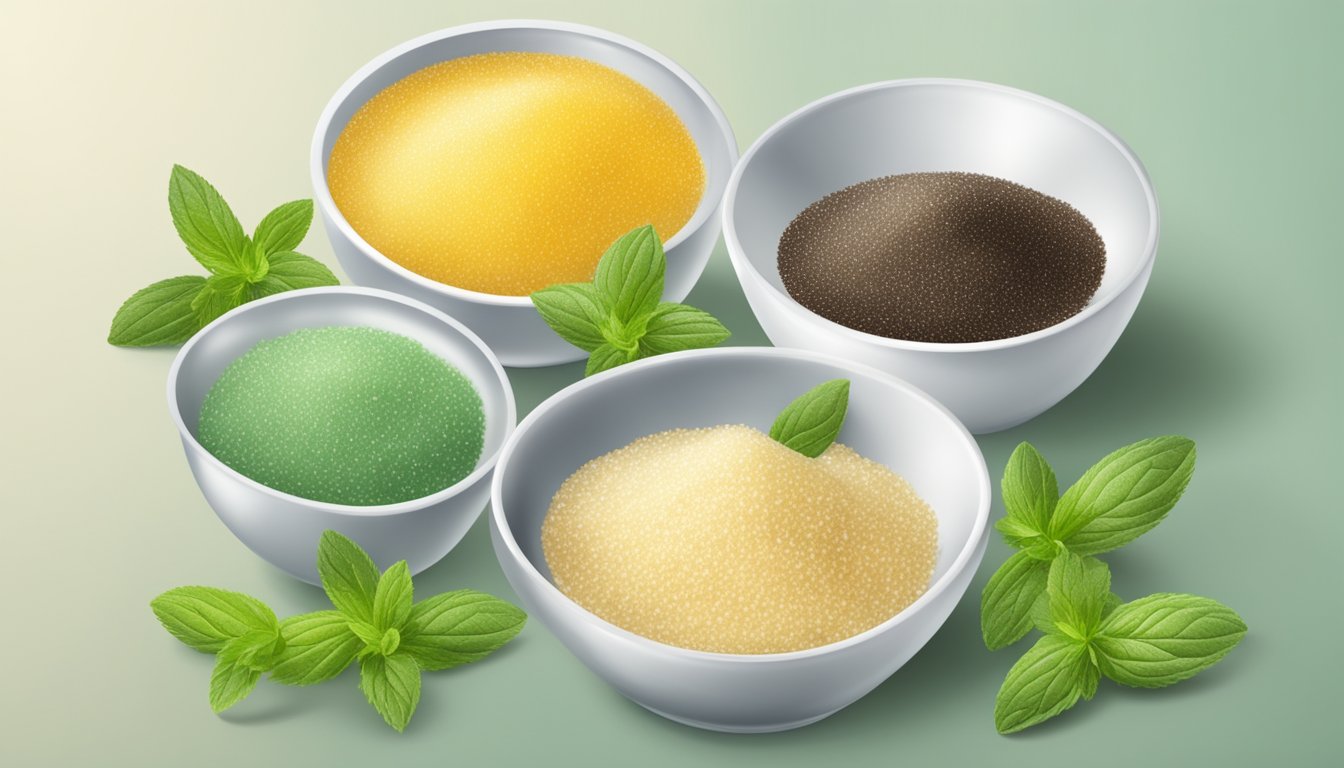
x: 944, y: 126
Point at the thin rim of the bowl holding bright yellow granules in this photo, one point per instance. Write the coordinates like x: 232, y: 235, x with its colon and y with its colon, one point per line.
x: 705, y: 213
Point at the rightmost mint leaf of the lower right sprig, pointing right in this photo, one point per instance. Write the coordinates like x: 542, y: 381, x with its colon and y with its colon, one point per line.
x: 1163, y: 640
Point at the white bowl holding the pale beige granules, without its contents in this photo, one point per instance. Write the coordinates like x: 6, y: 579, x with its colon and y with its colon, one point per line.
x: 889, y: 422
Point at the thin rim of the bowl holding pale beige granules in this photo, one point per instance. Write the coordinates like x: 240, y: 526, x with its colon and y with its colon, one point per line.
x: 940, y: 586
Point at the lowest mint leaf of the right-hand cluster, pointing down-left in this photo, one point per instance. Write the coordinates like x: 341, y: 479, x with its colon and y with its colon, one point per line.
x: 1046, y: 681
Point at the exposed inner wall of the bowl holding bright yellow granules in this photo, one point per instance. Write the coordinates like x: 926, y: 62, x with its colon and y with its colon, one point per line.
x: 690, y: 103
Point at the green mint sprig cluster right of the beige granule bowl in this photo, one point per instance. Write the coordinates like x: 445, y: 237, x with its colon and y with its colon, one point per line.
x: 1057, y: 586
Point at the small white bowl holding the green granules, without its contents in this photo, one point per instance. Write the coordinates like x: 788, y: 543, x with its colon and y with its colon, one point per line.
x: 284, y: 529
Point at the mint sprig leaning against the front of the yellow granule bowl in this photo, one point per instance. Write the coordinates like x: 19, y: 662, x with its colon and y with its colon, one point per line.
x: 619, y: 317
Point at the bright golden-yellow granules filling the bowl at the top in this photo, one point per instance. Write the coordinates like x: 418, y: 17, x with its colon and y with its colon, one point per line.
x: 507, y: 173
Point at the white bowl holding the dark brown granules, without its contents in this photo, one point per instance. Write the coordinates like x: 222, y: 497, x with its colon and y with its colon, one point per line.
x: 915, y: 126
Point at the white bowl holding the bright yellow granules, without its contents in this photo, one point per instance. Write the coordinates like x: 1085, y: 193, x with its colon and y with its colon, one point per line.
x: 510, y: 325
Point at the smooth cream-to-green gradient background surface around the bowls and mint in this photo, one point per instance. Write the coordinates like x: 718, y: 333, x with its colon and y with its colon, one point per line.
x: 1234, y: 108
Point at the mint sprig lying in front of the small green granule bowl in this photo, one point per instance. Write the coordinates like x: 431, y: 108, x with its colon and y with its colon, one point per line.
x: 377, y: 622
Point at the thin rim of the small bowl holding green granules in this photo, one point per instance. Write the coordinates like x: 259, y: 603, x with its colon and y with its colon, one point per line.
x: 485, y: 466
